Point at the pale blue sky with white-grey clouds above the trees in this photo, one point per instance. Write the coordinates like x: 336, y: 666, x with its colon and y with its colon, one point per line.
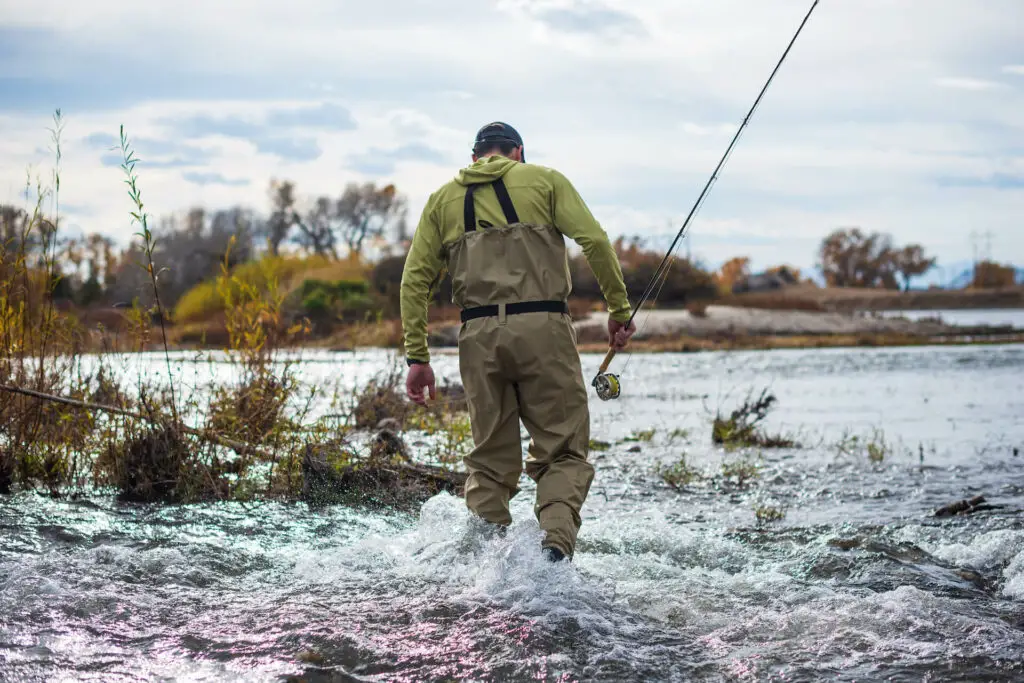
x: 903, y: 116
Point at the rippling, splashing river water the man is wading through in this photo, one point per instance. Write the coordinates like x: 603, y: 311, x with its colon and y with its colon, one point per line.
x: 859, y: 581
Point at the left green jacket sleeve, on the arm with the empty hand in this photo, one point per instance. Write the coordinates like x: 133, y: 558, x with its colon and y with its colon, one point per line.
x: 423, y: 266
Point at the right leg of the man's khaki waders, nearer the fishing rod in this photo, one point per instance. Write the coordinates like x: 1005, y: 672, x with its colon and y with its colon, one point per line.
x: 554, y: 409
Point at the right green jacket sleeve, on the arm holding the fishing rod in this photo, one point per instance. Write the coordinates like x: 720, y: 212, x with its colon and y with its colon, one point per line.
x: 574, y: 220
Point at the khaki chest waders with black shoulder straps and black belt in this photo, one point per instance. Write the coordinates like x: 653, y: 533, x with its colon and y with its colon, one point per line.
x: 519, y: 361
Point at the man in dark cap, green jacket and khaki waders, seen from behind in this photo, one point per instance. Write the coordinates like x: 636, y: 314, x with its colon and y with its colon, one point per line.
x: 498, y: 228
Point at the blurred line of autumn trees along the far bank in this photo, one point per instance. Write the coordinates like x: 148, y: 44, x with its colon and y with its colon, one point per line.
x: 370, y: 222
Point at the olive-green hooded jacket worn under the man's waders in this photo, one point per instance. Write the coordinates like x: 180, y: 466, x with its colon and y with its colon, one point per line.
x: 541, y: 196
